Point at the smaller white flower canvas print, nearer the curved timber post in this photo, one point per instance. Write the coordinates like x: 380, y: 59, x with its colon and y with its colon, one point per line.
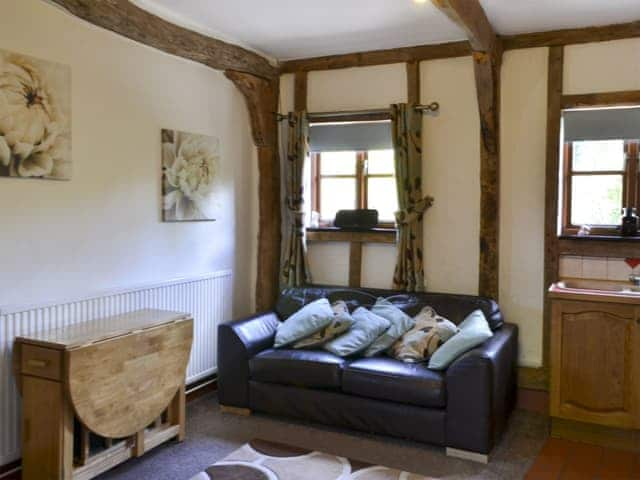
x: 190, y: 169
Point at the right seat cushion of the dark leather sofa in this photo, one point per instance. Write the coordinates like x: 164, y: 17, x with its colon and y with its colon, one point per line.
x: 385, y: 378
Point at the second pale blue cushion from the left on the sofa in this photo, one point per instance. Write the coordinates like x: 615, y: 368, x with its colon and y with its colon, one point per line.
x: 367, y: 327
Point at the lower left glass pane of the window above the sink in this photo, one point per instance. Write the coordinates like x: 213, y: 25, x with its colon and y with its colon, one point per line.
x: 596, y: 199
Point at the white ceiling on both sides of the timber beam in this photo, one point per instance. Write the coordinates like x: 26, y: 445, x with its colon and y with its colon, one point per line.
x: 289, y: 29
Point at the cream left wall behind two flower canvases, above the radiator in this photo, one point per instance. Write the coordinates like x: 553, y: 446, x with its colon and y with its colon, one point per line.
x: 102, y: 229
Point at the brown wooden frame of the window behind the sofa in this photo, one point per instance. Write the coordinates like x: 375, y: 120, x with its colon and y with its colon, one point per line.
x: 361, y: 178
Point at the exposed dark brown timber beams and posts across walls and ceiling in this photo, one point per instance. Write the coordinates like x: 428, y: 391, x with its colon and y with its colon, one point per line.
x: 258, y: 80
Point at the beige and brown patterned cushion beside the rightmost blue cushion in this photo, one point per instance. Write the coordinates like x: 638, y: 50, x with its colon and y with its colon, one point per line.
x: 430, y: 332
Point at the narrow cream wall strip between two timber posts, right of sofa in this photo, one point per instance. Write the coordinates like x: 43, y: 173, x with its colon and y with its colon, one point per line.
x: 522, y: 183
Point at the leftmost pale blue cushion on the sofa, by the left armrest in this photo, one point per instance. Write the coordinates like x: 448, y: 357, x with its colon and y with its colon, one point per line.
x: 310, y: 319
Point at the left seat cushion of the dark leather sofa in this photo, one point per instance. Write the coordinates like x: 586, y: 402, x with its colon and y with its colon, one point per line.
x: 302, y: 368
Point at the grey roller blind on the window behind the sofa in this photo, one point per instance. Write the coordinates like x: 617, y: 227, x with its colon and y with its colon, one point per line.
x: 358, y: 136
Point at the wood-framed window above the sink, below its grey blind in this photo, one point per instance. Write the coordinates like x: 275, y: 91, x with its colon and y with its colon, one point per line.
x: 600, y: 177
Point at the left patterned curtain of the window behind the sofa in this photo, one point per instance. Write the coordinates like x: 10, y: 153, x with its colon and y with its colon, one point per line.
x: 295, y: 267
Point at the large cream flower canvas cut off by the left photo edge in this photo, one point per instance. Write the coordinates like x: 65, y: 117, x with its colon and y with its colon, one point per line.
x: 35, y: 118
